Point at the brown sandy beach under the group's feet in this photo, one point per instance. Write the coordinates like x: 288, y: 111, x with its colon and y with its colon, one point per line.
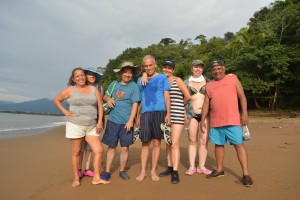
x: 38, y: 167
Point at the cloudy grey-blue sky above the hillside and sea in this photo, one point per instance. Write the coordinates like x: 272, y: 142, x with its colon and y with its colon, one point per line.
x: 41, y: 41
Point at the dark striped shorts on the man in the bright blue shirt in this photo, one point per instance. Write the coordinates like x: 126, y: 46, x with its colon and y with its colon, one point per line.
x: 150, y: 125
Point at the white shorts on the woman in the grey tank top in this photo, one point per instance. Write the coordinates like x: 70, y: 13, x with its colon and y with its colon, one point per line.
x: 78, y: 131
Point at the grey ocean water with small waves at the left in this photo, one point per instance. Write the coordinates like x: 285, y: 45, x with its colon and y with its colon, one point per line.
x: 14, y: 125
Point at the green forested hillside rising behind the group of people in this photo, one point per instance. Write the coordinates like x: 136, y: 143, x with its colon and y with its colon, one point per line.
x: 265, y: 55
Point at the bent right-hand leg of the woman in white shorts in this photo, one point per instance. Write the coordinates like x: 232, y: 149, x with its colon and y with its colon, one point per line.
x: 94, y: 142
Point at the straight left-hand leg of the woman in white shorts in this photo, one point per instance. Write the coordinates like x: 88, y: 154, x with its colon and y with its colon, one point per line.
x: 76, y: 149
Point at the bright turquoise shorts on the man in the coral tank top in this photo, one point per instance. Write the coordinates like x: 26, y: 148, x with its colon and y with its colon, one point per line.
x: 220, y: 135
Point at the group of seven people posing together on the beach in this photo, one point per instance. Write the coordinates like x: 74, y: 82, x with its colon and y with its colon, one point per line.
x: 160, y: 105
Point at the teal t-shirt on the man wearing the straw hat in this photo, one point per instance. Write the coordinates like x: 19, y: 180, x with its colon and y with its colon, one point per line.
x: 125, y: 96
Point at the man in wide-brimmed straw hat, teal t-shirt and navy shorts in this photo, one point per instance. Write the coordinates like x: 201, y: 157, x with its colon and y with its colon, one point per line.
x: 123, y: 100
